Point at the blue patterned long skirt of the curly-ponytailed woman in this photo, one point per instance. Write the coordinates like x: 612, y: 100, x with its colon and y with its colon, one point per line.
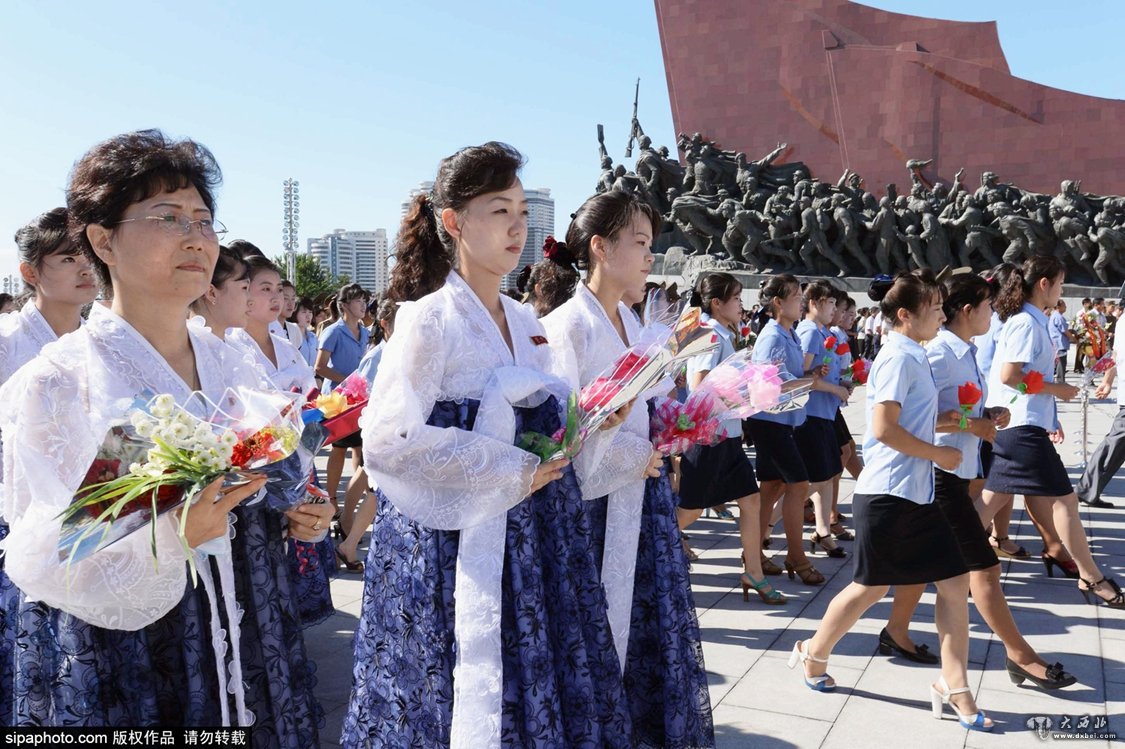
x: 562, y: 676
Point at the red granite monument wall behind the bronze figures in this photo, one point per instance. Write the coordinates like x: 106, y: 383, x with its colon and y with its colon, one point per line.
x: 851, y: 86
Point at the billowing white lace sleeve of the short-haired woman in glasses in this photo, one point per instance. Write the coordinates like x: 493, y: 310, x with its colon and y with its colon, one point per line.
x: 50, y: 444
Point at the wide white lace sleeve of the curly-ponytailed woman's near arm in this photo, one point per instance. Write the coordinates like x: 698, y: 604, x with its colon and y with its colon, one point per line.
x: 446, y: 479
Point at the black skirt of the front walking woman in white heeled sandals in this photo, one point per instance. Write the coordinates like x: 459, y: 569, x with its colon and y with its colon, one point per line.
x: 901, y: 543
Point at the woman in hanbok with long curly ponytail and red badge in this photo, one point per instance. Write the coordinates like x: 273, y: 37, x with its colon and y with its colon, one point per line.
x: 464, y: 512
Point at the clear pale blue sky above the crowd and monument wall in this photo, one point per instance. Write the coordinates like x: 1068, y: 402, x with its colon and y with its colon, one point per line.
x: 361, y: 101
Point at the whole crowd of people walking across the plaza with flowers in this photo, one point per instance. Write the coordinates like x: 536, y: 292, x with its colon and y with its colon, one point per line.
x: 508, y: 600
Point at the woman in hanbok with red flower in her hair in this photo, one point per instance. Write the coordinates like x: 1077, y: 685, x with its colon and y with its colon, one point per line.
x: 644, y: 565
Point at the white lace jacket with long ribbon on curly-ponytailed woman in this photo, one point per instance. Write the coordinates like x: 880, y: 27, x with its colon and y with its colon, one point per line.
x: 447, y: 348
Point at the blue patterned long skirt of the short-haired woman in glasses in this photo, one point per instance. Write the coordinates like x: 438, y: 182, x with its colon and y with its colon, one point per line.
x: 60, y: 671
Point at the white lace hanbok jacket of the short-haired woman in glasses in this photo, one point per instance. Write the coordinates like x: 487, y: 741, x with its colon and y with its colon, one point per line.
x: 58, y: 411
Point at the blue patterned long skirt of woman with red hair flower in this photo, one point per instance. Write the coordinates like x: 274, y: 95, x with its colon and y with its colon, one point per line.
x: 665, y: 680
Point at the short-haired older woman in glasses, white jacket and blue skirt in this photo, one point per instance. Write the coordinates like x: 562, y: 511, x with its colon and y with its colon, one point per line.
x: 115, y: 639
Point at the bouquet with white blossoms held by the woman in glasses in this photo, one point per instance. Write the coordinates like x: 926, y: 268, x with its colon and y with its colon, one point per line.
x: 160, y: 455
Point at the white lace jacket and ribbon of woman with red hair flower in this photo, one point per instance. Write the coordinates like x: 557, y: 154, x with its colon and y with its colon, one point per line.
x: 584, y: 344
